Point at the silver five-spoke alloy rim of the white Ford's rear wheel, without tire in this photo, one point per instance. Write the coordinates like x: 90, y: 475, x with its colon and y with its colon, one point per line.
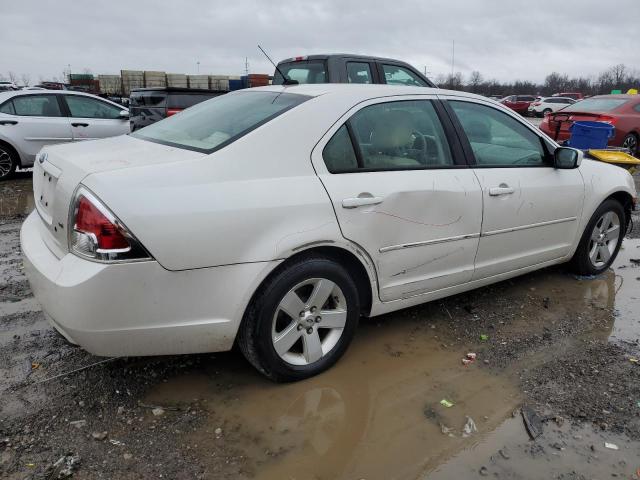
x: 309, y: 321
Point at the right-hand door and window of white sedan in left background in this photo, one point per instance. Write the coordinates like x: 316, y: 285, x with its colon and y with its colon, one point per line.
x: 92, y: 118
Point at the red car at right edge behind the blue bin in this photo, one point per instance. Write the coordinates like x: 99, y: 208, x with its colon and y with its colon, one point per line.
x: 621, y: 111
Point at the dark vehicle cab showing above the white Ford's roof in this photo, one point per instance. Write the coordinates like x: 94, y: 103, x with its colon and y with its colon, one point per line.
x: 346, y: 68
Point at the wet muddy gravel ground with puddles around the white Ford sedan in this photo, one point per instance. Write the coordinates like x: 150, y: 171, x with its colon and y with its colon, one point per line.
x: 557, y: 346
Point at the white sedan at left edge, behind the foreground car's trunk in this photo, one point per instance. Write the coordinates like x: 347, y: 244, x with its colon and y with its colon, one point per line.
x: 31, y: 119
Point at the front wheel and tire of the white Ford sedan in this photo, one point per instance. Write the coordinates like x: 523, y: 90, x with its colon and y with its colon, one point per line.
x: 601, y: 240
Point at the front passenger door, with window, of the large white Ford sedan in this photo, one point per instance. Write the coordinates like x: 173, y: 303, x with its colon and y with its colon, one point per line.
x: 531, y: 209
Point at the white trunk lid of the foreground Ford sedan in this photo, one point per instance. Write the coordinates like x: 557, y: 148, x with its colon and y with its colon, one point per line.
x: 57, y: 174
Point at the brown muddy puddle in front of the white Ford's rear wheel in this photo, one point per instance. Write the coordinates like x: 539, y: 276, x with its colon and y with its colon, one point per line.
x: 374, y: 415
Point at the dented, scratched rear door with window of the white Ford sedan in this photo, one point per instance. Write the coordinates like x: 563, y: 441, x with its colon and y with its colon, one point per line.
x: 400, y: 191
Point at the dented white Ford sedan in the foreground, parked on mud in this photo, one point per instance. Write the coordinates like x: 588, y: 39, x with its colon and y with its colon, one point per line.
x: 275, y: 217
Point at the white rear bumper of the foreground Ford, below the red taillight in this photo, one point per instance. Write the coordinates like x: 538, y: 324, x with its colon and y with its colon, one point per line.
x: 133, y: 309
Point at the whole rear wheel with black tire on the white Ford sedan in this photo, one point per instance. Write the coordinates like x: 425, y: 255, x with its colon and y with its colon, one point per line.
x: 301, y: 321
